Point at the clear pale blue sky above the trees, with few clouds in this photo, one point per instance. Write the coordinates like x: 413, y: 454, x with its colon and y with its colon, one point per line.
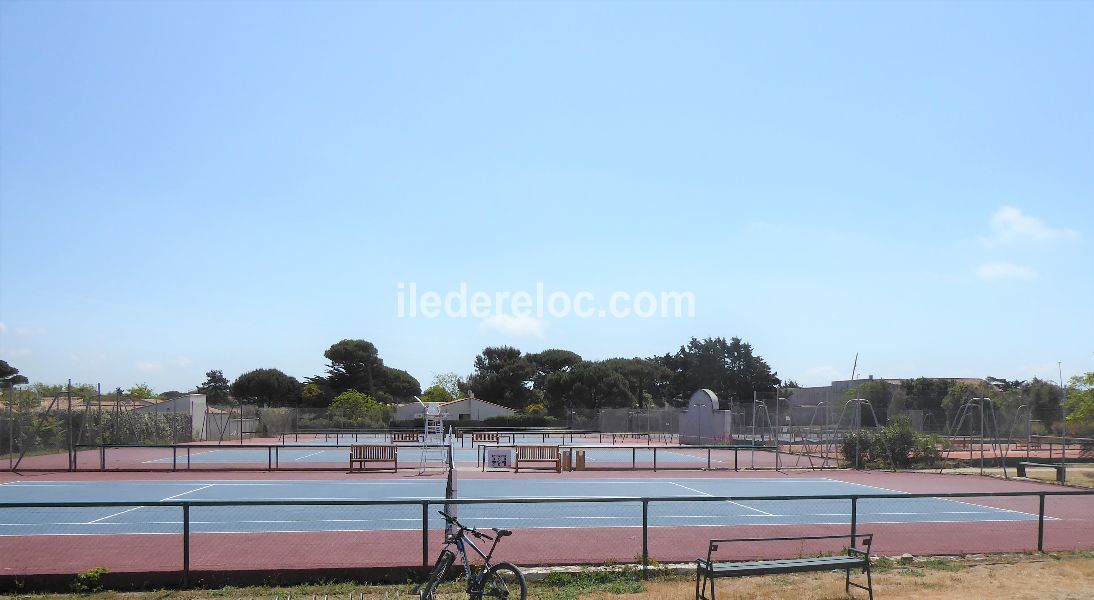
x: 189, y: 187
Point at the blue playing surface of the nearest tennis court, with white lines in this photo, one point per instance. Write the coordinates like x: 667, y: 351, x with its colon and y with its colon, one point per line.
x: 153, y: 520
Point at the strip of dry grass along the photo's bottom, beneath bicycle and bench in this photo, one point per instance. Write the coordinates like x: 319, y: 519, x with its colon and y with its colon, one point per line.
x: 1067, y: 576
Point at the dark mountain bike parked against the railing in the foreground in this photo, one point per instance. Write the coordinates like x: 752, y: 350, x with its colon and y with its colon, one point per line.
x: 499, y: 581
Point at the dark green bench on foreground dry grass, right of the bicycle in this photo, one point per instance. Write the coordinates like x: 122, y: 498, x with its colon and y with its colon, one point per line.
x: 709, y: 570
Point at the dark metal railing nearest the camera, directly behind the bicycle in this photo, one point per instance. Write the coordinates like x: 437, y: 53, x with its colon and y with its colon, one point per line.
x: 646, y: 502
